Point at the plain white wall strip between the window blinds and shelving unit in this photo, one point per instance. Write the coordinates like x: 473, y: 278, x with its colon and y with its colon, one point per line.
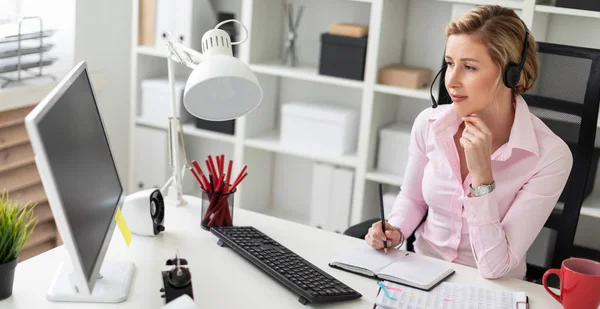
x: 103, y: 40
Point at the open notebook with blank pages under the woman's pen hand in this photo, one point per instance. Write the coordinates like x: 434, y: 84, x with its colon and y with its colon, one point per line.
x: 397, y: 266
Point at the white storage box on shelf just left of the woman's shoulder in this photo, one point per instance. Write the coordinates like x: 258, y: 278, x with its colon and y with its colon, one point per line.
x: 392, y: 154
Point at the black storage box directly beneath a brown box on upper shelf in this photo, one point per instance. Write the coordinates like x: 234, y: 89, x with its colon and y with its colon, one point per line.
x: 343, y: 56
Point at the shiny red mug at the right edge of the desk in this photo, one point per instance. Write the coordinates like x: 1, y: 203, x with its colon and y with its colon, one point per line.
x: 579, y: 283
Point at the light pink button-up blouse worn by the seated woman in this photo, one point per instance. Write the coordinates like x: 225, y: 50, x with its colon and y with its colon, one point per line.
x: 492, y: 232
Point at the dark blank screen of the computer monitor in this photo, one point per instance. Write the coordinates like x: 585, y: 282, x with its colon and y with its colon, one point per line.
x: 82, y: 165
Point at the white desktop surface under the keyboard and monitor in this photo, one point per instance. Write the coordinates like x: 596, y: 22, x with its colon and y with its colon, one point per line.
x: 222, y: 278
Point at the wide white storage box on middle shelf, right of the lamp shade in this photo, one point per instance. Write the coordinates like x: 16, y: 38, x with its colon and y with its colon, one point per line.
x: 324, y: 128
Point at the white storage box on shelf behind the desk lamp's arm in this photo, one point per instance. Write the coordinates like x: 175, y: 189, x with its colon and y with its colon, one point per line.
x: 156, y: 101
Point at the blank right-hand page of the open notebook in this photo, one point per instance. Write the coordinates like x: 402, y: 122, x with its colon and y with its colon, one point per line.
x: 416, y: 269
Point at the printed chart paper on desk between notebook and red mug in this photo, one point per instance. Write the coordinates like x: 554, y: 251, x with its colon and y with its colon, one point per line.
x: 447, y: 296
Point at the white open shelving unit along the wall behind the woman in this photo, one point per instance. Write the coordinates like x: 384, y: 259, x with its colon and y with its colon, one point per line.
x: 410, y: 32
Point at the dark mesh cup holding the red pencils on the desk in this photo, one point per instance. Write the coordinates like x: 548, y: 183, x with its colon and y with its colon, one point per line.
x: 217, y: 209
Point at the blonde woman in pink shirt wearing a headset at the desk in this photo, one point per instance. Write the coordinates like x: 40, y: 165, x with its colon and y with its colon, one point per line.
x: 487, y: 171
